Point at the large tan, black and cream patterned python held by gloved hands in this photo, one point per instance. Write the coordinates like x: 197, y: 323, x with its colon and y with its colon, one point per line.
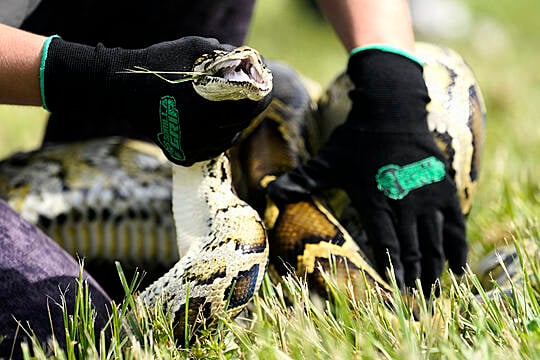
x: 110, y: 198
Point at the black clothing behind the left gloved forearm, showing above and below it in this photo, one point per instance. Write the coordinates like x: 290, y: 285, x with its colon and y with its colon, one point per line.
x: 130, y: 24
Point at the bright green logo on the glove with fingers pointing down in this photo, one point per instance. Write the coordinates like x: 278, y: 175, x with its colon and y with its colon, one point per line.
x: 396, y: 181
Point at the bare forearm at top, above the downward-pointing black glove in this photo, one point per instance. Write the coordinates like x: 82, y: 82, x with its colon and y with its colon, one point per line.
x: 364, y: 22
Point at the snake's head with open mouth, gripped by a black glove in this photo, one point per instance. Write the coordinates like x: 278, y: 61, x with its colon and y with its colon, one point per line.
x: 232, y: 75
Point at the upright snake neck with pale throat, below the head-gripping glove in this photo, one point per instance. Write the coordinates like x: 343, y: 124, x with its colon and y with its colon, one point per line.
x: 222, y: 244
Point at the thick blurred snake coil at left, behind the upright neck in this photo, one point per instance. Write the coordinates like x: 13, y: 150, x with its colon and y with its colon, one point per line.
x: 103, y: 199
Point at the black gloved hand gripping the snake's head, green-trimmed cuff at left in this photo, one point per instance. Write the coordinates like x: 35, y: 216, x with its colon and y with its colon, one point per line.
x: 187, y: 127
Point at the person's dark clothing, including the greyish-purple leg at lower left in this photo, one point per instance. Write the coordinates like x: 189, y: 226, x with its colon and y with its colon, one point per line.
x: 33, y: 268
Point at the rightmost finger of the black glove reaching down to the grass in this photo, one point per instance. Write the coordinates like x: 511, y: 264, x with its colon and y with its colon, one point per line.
x: 455, y: 239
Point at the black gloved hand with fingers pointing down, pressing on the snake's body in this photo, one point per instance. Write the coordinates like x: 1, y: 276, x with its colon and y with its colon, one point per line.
x: 385, y: 158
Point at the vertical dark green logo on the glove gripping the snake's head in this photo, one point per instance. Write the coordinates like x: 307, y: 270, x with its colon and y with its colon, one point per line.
x: 169, y: 137
